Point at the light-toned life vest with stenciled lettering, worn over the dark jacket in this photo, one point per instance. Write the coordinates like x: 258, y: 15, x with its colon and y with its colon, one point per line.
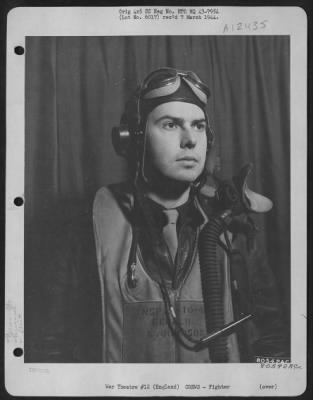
x: 134, y: 323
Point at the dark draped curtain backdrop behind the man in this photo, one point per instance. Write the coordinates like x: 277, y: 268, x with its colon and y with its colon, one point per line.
x: 75, y: 92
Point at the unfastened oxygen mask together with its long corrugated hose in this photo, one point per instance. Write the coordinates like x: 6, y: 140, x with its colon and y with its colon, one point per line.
x: 233, y: 198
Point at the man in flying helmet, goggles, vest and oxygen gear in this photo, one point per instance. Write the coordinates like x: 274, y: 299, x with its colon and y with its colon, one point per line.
x: 178, y: 282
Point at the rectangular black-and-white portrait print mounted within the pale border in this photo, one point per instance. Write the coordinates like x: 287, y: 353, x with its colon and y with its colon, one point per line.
x: 157, y: 187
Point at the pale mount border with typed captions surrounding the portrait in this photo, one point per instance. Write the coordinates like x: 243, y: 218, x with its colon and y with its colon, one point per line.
x: 88, y: 379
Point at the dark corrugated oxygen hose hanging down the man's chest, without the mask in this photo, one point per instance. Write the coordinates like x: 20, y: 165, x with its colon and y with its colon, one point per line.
x: 212, y: 287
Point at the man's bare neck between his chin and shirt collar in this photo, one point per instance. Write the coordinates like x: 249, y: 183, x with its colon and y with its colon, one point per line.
x: 169, y: 196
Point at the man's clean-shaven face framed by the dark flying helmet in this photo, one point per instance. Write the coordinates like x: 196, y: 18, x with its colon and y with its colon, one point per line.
x: 176, y: 141
